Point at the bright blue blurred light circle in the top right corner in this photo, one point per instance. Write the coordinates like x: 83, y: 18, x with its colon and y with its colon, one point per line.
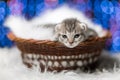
x: 107, y: 7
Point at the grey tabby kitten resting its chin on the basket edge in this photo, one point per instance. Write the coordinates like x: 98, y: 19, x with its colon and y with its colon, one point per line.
x: 71, y: 32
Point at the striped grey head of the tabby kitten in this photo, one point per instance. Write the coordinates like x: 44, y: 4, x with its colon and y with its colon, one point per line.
x: 71, y: 32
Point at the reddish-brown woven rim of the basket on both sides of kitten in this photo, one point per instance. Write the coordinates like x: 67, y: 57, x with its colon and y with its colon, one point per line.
x: 14, y: 38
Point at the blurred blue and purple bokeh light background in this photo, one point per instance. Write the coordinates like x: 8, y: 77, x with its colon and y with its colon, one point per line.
x: 103, y: 12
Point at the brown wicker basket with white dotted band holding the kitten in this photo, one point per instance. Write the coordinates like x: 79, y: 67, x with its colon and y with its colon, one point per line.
x: 52, y: 56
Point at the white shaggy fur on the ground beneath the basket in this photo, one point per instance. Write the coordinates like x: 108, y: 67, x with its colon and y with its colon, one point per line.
x: 12, y: 68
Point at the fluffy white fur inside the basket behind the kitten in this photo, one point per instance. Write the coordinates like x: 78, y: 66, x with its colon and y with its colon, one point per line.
x: 28, y: 29
